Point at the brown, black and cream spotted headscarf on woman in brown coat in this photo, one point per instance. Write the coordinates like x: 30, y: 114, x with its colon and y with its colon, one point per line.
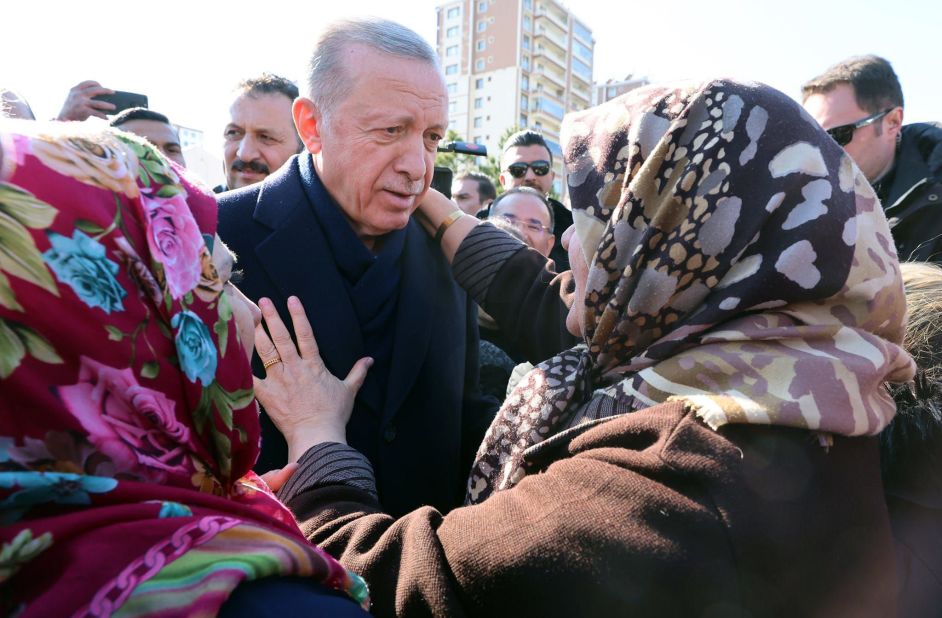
x: 738, y: 260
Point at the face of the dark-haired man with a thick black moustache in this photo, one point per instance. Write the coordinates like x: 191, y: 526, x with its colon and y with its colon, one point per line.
x: 260, y: 137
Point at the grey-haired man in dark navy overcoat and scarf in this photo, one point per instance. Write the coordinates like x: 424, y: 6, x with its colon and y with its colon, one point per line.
x: 333, y: 227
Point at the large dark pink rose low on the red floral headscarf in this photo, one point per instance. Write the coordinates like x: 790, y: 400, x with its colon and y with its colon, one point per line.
x: 133, y: 425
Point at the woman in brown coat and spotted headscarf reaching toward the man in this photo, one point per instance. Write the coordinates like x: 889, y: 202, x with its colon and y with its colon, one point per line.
x: 708, y: 450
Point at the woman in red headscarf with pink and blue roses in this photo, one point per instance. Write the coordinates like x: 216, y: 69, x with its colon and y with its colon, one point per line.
x: 128, y: 425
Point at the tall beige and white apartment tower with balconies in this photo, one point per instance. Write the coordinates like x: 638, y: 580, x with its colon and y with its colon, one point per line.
x: 510, y: 63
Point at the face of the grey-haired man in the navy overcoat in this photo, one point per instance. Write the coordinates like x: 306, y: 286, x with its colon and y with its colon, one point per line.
x: 376, y: 156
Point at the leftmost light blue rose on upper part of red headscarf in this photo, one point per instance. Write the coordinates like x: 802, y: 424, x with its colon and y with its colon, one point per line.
x: 81, y: 263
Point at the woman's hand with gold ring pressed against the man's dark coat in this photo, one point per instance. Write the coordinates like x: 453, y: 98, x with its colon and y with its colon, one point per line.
x: 304, y: 400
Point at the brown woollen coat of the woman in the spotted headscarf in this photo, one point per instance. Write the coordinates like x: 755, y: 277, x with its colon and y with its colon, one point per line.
x: 644, y: 514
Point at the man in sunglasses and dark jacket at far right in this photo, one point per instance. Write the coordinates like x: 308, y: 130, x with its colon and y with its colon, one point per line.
x: 859, y: 103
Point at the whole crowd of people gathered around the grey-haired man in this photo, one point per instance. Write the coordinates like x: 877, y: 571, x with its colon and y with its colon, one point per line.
x: 691, y: 391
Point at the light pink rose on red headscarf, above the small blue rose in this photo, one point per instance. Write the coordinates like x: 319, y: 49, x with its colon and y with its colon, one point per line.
x: 174, y: 241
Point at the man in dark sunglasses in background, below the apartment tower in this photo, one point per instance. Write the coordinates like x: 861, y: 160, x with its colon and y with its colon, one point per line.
x: 528, y: 162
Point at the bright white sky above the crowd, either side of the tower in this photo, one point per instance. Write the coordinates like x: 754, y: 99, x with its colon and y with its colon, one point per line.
x: 186, y: 56
